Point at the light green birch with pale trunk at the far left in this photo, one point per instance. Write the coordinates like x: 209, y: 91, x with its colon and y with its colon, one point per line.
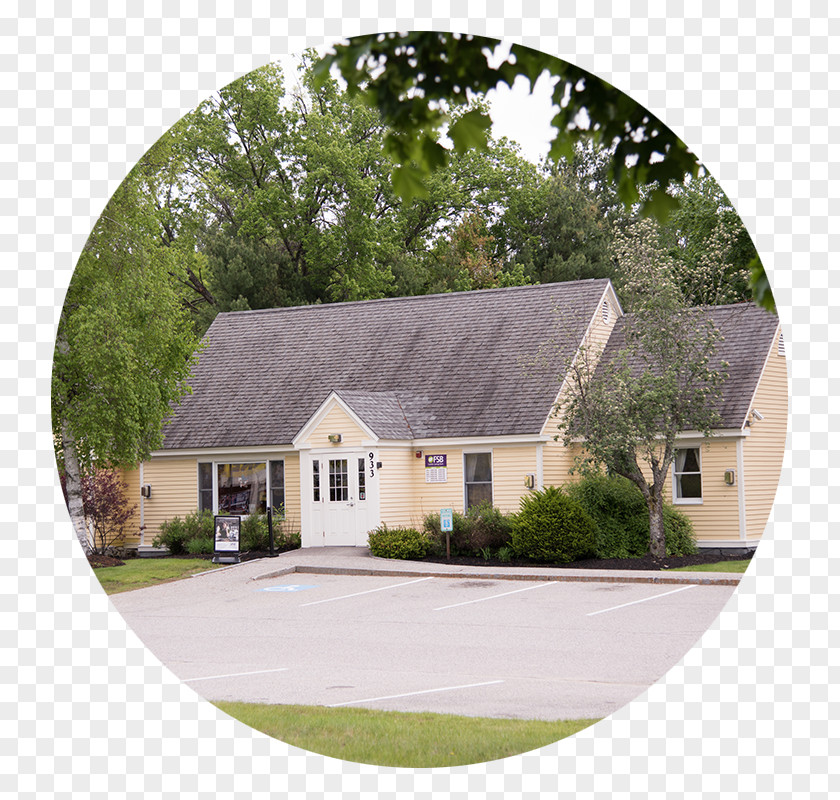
x: 124, y: 345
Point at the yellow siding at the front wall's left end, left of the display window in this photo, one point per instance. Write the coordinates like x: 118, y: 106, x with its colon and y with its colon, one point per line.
x: 174, y: 483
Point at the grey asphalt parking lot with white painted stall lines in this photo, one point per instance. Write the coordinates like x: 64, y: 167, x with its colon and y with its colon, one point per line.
x: 538, y: 649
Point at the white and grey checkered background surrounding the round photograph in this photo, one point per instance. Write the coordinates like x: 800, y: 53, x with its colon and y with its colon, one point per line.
x: 87, y: 711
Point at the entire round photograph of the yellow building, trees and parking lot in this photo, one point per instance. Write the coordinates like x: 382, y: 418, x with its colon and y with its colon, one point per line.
x: 450, y: 378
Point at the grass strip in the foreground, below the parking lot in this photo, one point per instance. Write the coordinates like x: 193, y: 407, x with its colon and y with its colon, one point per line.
x: 397, y: 739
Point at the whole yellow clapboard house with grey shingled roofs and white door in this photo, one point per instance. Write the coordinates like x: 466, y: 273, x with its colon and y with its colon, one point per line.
x: 353, y: 414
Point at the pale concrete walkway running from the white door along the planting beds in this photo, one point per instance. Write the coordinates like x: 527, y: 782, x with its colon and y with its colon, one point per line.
x: 359, y: 561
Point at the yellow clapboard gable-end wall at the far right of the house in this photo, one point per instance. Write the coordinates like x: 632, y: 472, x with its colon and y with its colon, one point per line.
x: 765, y: 447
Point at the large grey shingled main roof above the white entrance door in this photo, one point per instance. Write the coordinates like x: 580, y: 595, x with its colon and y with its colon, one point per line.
x: 420, y: 367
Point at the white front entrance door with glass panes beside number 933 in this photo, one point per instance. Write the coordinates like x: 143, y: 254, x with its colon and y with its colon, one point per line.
x: 342, y: 483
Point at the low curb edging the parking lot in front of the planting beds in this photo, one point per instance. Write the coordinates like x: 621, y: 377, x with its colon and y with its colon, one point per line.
x: 580, y: 576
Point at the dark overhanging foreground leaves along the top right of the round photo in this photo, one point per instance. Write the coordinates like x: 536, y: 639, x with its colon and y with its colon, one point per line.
x: 416, y: 78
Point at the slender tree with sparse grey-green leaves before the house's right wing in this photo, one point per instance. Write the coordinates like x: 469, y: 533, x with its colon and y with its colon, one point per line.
x: 625, y: 406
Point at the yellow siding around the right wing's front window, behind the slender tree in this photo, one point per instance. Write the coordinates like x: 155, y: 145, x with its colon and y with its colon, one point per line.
x: 717, y: 517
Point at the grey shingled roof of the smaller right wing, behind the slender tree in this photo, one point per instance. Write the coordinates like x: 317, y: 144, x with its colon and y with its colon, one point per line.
x: 747, y: 332
